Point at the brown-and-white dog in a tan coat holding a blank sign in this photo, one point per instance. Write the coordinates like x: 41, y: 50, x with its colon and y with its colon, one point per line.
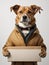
x: 25, y: 32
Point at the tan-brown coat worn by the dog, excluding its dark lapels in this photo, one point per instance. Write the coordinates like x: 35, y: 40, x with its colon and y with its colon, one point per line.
x: 16, y: 39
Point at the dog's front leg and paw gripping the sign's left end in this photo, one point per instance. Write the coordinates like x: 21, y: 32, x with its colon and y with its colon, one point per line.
x: 4, y: 49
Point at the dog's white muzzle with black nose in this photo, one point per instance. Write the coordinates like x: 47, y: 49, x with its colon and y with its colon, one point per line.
x: 24, y: 21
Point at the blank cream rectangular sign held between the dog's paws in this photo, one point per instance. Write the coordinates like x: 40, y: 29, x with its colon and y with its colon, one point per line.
x: 24, y: 53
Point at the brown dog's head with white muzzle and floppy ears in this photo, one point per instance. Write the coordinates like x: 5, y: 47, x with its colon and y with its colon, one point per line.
x: 25, y: 15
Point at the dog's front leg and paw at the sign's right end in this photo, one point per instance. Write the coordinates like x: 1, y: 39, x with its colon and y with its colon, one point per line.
x: 43, y: 47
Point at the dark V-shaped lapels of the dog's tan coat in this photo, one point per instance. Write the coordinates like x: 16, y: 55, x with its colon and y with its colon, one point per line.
x: 32, y: 32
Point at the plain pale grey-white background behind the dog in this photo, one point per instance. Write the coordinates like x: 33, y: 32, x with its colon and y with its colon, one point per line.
x: 7, y: 23
